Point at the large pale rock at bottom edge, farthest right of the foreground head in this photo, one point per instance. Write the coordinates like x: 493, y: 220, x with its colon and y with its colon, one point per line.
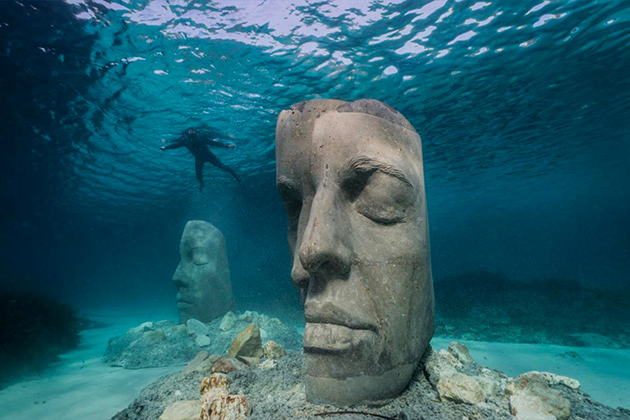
x: 535, y: 400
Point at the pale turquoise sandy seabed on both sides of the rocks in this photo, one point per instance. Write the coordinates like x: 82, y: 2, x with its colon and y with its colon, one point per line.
x: 82, y: 387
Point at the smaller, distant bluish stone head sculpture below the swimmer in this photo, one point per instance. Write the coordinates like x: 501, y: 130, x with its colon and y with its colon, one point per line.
x: 202, y: 278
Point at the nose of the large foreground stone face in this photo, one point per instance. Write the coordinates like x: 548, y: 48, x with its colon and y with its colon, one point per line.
x: 324, y: 249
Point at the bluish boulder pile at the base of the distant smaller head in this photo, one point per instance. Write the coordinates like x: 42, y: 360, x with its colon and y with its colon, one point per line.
x: 165, y: 343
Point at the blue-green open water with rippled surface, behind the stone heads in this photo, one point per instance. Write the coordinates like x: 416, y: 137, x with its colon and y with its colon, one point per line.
x: 522, y: 107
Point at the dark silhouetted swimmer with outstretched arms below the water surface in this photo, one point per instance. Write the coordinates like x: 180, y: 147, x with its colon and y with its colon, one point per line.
x: 197, y: 143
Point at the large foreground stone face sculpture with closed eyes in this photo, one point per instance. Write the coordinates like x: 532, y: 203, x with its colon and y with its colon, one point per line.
x: 351, y: 179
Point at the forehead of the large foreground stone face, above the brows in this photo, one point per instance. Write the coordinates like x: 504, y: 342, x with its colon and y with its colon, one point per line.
x: 332, y: 138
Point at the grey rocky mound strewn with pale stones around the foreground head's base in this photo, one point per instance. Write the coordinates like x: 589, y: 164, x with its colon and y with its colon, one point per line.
x: 450, y: 386
